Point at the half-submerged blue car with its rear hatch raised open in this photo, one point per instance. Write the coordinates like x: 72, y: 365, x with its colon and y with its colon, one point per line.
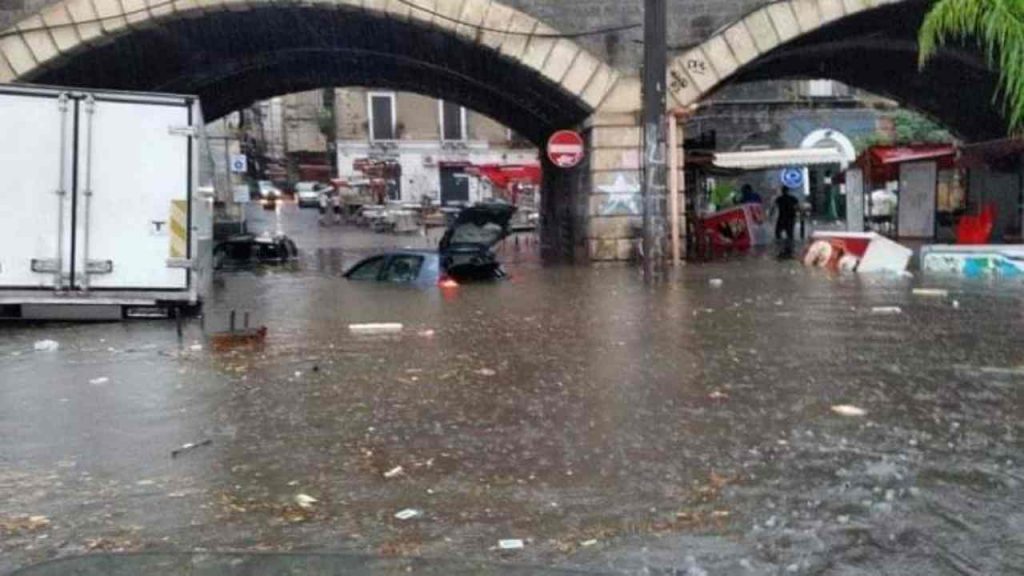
x: 465, y: 253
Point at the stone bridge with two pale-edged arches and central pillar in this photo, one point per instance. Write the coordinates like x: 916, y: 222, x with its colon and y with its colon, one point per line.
x: 522, y: 62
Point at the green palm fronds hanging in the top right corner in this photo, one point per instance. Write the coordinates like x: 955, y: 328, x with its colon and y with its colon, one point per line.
x: 998, y: 26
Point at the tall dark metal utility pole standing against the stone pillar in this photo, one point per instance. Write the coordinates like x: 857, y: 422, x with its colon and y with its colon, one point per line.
x: 655, y: 69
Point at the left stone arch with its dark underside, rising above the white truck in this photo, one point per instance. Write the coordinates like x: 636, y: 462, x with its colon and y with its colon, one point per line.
x: 480, y: 54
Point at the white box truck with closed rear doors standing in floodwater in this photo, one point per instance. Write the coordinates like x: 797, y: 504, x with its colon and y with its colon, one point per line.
x: 103, y: 213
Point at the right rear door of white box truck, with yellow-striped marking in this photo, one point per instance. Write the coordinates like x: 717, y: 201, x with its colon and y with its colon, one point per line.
x: 135, y: 186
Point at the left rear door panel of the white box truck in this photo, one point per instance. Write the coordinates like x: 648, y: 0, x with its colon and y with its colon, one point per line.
x: 35, y: 168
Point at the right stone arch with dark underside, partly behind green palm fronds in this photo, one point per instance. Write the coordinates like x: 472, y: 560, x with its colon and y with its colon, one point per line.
x: 871, y: 45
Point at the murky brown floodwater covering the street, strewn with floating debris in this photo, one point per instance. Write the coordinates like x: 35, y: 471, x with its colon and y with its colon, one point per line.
x: 682, y: 429
